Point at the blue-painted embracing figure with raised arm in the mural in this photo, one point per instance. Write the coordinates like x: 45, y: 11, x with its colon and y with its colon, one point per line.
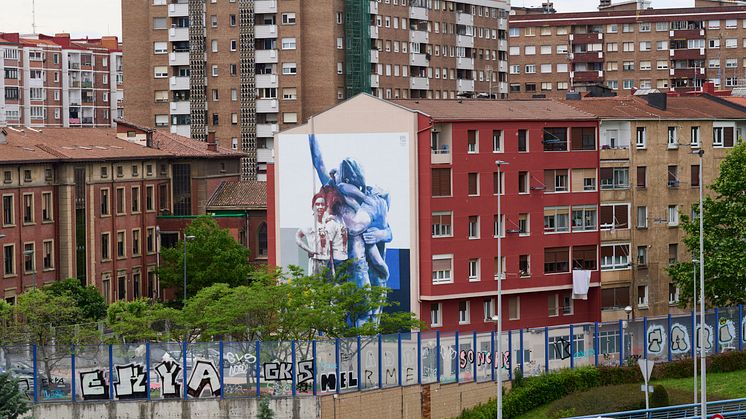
x: 364, y: 211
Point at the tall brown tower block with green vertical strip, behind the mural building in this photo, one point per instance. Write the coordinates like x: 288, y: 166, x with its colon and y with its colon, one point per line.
x: 248, y: 69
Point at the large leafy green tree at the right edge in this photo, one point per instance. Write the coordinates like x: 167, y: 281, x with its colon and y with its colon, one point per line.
x: 724, y: 237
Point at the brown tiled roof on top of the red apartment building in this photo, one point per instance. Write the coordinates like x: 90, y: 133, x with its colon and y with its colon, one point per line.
x: 495, y: 110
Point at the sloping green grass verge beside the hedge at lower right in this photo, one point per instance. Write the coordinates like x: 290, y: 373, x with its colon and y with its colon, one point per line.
x: 629, y: 397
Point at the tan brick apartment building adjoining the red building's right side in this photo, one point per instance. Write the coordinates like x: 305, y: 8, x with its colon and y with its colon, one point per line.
x: 649, y: 177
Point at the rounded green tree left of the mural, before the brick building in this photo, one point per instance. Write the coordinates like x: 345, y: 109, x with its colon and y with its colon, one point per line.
x: 213, y: 256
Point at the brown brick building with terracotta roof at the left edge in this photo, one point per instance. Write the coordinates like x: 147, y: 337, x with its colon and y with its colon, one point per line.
x: 83, y: 203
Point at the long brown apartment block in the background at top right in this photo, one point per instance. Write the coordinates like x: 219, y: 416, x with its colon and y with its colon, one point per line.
x: 626, y: 48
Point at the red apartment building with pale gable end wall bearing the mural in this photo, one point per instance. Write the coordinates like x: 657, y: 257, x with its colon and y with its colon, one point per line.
x: 550, y: 203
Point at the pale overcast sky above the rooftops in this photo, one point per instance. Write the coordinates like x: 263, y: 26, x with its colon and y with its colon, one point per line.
x: 104, y: 17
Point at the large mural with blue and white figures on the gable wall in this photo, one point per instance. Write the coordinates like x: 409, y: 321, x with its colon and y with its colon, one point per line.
x: 344, y: 203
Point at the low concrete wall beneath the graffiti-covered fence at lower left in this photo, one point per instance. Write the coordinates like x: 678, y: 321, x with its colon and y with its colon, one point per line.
x: 300, y: 407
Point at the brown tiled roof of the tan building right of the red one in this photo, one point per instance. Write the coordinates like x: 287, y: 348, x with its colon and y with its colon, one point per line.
x: 677, y: 107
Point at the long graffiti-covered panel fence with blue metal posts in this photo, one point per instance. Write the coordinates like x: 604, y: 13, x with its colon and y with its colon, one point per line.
x: 153, y: 371
